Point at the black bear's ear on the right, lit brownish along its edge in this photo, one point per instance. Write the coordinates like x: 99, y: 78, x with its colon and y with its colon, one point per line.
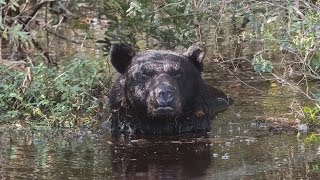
x: 195, y: 55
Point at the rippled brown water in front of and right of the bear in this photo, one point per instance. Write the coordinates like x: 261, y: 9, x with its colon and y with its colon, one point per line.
x: 238, y: 147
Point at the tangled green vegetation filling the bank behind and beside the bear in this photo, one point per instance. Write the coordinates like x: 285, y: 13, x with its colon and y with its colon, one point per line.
x: 41, y: 86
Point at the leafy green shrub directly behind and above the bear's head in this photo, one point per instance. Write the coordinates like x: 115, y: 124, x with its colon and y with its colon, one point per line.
x: 147, y: 24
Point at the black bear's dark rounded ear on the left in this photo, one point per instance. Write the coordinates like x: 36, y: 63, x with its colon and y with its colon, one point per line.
x: 121, y: 56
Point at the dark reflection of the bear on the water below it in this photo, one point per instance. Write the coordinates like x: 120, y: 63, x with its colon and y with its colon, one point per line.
x: 161, y: 158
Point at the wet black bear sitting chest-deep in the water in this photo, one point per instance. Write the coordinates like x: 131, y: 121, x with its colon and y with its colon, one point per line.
x: 161, y: 92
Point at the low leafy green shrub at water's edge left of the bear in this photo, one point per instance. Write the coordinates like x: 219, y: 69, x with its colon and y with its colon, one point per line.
x: 54, y: 95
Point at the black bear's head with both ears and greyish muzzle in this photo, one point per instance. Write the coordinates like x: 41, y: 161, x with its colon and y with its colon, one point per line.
x: 158, y: 84
